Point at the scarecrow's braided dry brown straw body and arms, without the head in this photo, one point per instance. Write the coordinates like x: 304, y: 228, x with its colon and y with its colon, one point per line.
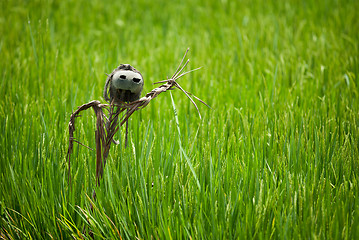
x: 106, y: 127
